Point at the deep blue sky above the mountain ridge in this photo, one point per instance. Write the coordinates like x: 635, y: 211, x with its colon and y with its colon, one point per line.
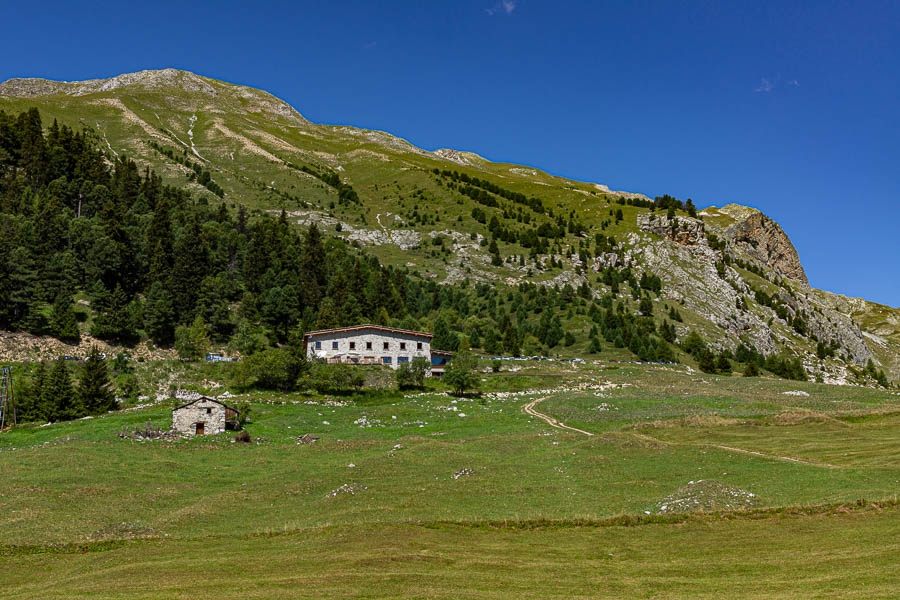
x: 790, y: 107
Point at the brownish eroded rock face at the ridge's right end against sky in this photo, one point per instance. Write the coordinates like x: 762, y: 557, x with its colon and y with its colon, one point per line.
x: 761, y: 238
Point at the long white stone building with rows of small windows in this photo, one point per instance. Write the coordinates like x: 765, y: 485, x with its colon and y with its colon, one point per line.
x: 368, y: 345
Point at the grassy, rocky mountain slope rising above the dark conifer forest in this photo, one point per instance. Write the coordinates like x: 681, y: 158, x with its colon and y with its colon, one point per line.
x: 260, y: 152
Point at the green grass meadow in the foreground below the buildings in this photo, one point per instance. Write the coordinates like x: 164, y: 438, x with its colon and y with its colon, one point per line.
x: 425, y: 495
